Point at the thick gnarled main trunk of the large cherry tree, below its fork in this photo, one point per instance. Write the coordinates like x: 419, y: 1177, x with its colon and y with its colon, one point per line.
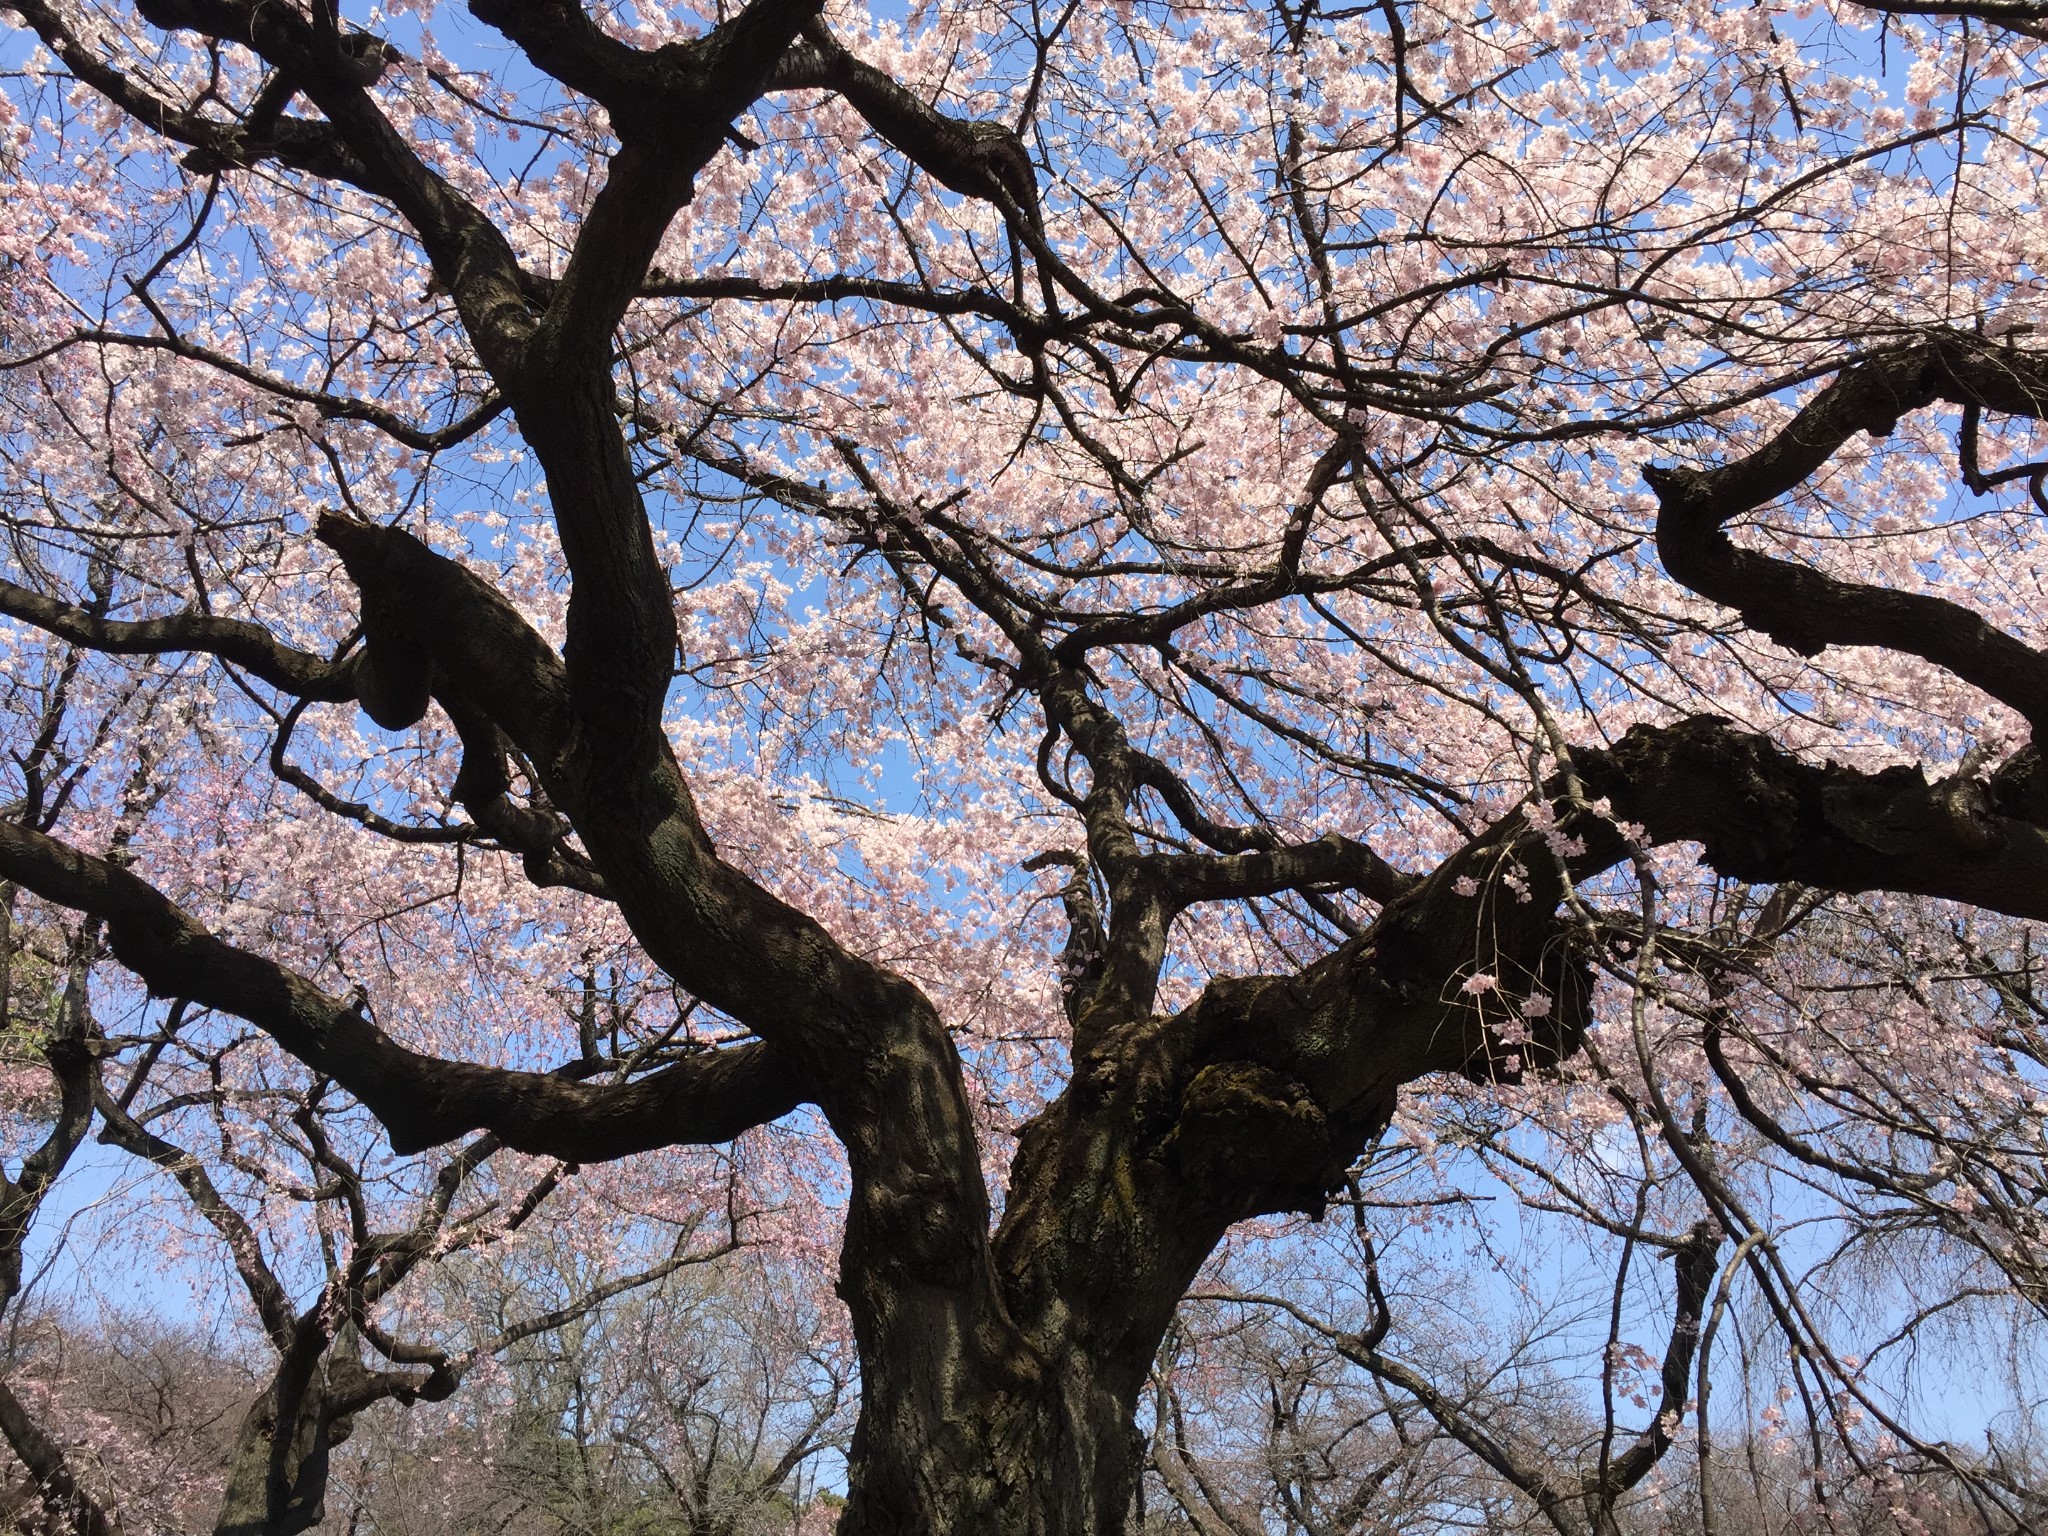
x: 1019, y: 1420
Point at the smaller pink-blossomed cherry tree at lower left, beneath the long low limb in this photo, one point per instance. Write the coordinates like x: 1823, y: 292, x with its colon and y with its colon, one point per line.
x: 288, y: 1193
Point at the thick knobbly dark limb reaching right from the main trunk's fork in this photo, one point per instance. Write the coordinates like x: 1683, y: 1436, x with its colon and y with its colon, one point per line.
x: 1267, y: 1086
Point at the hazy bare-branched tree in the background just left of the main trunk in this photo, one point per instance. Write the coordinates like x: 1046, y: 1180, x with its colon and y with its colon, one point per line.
x: 710, y: 1406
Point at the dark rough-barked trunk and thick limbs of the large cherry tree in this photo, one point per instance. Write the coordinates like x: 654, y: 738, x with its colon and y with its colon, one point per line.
x: 1000, y: 1369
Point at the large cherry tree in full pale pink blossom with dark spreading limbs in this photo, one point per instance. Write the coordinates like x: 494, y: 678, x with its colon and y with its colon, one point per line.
x: 1103, y: 613
